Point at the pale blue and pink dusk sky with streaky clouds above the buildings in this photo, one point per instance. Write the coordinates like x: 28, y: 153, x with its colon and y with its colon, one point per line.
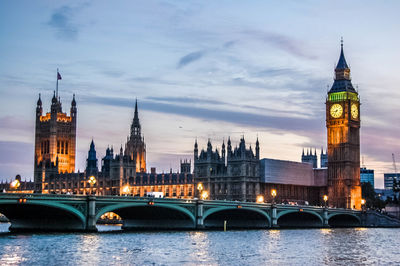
x: 199, y: 69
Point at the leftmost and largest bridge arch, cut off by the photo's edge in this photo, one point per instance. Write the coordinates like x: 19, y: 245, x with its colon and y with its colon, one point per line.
x: 42, y: 215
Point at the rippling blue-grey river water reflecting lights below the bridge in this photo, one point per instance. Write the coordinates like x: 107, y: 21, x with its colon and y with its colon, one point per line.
x: 343, y: 246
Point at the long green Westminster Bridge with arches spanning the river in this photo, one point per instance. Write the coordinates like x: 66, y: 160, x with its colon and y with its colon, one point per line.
x: 27, y: 212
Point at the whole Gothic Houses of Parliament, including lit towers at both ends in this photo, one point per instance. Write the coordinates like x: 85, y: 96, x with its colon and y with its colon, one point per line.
x: 232, y: 173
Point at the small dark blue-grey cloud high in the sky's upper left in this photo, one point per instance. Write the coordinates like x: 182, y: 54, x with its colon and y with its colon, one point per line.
x: 60, y: 20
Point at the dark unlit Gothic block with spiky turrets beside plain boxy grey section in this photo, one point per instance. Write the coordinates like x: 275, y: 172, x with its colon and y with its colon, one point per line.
x: 233, y: 175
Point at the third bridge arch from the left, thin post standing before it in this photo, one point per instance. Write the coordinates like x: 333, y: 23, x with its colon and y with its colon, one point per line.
x: 245, y: 217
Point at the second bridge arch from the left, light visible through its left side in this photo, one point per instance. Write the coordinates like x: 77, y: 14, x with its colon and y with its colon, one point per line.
x: 137, y: 215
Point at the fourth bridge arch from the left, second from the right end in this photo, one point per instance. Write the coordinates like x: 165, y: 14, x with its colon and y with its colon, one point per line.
x: 297, y: 218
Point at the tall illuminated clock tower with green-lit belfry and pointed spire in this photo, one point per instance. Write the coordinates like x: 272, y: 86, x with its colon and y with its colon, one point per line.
x: 343, y: 129
